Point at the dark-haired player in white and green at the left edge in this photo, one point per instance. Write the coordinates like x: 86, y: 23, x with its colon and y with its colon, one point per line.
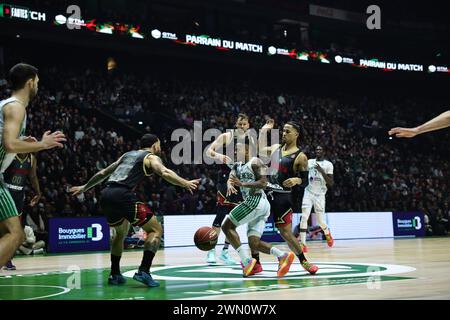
x: 24, y: 84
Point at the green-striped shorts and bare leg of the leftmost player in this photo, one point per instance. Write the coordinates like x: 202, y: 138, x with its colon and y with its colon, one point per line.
x: 11, y: 230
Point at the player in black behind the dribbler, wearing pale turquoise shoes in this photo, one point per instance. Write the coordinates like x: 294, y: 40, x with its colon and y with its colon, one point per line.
x: 225, y: 203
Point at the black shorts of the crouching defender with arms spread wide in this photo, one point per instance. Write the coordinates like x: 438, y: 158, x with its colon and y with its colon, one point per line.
x: 118, y: 203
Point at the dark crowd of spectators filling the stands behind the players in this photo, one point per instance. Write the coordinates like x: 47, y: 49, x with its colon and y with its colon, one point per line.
x: 371, y: 172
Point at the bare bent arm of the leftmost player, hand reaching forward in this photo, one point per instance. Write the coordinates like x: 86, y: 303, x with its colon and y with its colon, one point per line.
x: 13, y: 114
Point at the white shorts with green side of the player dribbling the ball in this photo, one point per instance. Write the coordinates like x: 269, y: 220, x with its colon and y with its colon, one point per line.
x: 254, y: 212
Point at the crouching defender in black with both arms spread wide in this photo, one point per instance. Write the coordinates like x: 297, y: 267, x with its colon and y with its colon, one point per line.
x: 121, y: 206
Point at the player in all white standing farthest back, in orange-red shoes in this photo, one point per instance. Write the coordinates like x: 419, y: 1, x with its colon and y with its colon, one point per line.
x: 320, y: 177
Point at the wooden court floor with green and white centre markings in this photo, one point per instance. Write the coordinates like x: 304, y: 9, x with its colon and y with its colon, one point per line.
x: 352, y: 269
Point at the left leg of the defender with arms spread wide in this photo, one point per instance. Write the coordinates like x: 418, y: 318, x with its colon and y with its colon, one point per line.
x: 121, y: 231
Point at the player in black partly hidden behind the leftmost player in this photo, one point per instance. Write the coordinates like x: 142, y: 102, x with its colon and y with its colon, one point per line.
x: 23, y: 166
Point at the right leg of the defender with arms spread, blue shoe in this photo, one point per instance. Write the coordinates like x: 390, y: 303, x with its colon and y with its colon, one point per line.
x: 154, y: 231
